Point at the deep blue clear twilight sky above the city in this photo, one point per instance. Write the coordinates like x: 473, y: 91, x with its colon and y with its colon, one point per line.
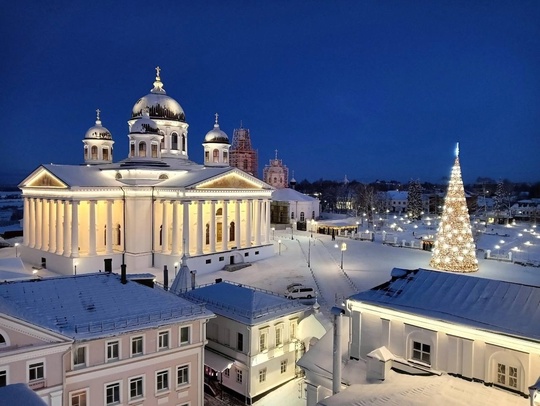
x: 368, y: 89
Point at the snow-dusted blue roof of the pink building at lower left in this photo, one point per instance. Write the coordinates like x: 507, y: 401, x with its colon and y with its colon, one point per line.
x: 94, y: 305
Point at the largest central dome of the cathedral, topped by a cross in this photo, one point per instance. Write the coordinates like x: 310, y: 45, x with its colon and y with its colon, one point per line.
x: 160, y: 106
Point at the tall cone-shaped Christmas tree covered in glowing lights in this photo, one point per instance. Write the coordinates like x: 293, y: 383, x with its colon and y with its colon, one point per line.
x: 454, y: 249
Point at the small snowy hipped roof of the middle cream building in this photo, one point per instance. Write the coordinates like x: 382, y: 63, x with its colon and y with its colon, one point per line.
x: 245, y: 304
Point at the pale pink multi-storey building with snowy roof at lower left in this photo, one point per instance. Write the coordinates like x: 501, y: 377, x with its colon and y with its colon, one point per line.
x: 100, y: 339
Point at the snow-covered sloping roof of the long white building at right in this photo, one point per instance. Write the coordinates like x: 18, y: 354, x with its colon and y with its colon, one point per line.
x: 492, y: 305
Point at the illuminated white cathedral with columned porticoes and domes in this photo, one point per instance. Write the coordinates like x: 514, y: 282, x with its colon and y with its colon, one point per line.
x: 150, y: 209
